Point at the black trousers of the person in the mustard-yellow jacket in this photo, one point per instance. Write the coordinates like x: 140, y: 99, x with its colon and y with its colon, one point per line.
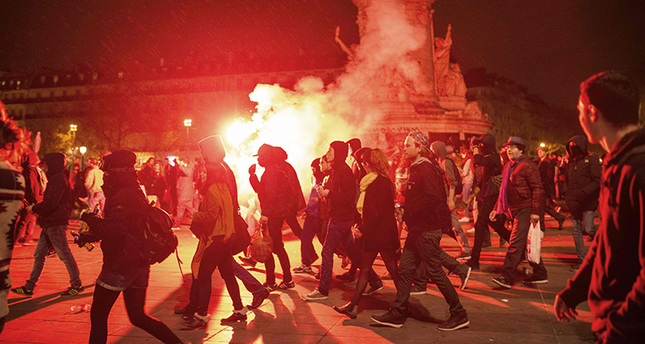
x: 217, y: 255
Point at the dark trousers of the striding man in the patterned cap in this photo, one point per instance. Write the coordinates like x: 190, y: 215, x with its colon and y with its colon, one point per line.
x: 423, y: 247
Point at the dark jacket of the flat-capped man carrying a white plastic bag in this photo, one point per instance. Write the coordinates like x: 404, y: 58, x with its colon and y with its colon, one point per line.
x: 524, y: 189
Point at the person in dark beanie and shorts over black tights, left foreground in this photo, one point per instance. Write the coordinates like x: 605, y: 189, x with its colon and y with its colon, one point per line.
x: 126, y: 265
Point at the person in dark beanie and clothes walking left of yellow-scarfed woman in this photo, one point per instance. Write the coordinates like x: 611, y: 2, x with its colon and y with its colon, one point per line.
x: 340, y: 192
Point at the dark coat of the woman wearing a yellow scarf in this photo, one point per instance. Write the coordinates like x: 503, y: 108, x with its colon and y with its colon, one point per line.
x: 379, y: 224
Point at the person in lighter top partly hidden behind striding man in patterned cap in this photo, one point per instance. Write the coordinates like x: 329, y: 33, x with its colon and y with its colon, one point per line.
x: 453, y: 188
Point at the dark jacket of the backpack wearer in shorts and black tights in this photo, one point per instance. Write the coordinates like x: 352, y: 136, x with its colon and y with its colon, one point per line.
x: 121, y: 228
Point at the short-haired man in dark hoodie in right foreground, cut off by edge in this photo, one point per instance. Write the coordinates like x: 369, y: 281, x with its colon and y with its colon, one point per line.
x: 612, y: 276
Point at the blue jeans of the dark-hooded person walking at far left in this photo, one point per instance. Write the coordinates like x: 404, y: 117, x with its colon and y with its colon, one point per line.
x: 58, y: 239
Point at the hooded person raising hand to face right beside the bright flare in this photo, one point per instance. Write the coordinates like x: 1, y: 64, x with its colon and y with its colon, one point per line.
x: 280, y: 199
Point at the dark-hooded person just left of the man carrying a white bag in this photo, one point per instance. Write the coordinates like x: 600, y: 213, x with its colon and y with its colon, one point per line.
x: 488, y: 178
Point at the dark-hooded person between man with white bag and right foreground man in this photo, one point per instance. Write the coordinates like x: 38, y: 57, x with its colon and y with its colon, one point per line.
x: 582, y: 173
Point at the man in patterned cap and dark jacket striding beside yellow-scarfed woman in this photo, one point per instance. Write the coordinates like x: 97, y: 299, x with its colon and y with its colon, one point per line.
x: 427, y: 215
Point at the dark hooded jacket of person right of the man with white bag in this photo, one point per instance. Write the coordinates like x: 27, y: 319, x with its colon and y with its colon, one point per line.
x: 582, y: 177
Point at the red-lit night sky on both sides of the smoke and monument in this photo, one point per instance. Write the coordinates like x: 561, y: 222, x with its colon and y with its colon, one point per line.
x: 546, y: 46
